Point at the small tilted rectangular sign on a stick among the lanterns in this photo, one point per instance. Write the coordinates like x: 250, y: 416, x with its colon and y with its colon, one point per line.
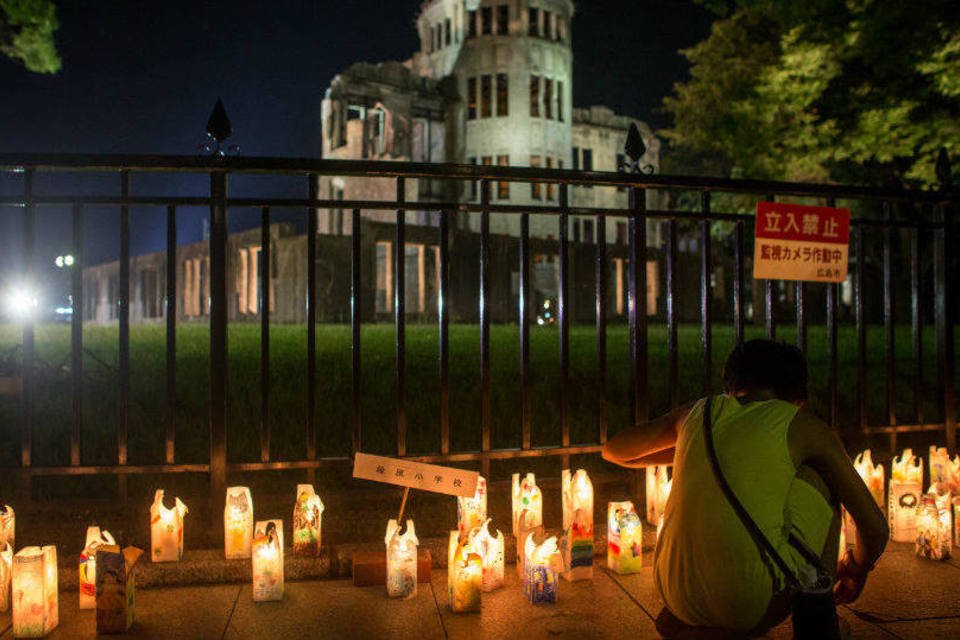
x: 416, y: 475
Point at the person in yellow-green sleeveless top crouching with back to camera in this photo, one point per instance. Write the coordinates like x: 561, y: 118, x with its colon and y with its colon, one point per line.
x: 789, y: 471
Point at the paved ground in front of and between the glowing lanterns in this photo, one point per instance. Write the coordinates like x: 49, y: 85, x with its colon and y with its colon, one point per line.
x: 906, y: 598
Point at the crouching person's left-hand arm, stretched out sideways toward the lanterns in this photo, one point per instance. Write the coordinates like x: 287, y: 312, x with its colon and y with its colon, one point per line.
x: 648, y: 444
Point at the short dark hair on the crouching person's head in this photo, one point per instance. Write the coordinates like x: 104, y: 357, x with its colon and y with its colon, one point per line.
x: 759, y: 365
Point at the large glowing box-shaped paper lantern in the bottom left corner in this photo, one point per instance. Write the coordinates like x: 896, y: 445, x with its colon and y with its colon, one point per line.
x: 35, y: 606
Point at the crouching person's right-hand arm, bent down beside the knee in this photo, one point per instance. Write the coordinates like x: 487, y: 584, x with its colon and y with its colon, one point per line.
x: 813, y: 443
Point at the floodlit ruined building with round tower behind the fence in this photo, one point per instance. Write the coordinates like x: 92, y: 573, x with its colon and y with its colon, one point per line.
x: 492, y: 84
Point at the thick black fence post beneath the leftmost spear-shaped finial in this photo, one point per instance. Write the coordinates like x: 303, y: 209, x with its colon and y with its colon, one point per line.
x: 218, y: 348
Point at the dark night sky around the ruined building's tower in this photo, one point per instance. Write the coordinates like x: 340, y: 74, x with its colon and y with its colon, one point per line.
x: 141, y: 77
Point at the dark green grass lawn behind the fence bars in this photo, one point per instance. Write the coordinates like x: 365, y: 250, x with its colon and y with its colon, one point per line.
x: 288, y: 365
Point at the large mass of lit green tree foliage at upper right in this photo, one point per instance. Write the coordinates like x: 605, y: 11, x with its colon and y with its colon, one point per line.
x: 863, y: 91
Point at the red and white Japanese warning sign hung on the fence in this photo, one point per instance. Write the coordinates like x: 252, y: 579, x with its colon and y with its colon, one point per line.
x: 799, y: 242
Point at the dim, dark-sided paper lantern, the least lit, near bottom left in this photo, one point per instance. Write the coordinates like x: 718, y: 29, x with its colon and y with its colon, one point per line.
x: 116, y: 588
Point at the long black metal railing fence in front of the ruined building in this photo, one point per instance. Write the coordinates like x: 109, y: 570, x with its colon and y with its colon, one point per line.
x: 930, y: 214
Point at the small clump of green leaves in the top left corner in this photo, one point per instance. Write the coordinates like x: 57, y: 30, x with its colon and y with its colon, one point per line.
x: 26, y: 33
